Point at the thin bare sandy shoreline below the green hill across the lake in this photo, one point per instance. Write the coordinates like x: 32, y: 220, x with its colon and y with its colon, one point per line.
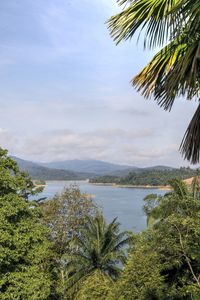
x: 159, y: 187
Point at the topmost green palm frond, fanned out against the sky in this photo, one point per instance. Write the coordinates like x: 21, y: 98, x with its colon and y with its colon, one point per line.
x: 154, y: 16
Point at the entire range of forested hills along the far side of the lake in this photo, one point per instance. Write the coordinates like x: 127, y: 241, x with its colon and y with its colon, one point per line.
x: 103, y: 172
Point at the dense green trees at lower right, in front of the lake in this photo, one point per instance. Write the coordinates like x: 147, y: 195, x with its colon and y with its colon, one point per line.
x: 175, y: 237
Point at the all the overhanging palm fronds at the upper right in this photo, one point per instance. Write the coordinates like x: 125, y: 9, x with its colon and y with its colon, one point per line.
x: 175, y: 70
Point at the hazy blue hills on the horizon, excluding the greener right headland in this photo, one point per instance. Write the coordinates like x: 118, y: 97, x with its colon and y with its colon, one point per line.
x: 77, y: 169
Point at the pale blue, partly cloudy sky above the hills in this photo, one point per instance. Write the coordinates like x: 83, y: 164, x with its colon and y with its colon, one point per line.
x: 66, y: 92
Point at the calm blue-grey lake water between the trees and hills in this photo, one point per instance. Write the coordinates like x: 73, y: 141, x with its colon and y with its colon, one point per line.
x: 124, y: 203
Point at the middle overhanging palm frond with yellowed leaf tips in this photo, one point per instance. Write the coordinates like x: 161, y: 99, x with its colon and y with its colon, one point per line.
x: 174, y: 71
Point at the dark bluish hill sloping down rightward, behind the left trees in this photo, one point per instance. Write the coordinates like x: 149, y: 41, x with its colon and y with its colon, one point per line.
x: 37, y: 171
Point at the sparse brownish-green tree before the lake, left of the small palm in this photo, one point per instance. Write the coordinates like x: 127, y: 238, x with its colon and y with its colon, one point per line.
x: 65, y: 215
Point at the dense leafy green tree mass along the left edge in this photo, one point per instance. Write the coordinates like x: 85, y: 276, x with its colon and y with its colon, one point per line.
x: 24, y: 247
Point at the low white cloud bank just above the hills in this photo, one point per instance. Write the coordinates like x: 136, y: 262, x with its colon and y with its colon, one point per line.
x: 114, y: 145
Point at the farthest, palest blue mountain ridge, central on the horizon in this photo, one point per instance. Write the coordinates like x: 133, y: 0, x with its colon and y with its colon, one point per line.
x: 89, y: 166
